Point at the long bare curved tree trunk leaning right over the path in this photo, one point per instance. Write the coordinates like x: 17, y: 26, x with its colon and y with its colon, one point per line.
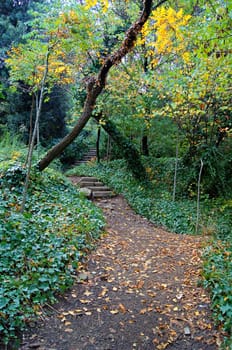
x: 95, y: 85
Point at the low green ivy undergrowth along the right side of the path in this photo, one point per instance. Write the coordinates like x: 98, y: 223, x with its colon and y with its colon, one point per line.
x: 154, y: 201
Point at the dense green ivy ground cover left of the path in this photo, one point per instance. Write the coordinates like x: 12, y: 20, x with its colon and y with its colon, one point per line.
x: 41, y: 248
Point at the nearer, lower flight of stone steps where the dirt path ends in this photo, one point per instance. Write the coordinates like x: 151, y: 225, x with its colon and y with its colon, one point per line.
x: 93, y: 188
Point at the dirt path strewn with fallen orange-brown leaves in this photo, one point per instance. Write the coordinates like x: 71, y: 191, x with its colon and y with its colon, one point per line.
x: 139, y: 291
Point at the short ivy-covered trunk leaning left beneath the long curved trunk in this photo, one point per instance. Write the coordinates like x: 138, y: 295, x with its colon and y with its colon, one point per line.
x: 127, y: 149
